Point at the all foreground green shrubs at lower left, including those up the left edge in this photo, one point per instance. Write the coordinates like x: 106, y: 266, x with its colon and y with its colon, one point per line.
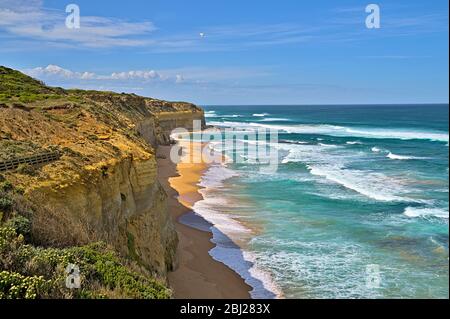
x: 29, y: 270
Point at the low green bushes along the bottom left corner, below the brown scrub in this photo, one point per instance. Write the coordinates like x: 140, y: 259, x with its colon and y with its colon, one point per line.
x: 30, y: 272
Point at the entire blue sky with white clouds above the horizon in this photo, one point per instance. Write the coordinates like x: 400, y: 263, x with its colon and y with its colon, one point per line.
x: 234, y: 51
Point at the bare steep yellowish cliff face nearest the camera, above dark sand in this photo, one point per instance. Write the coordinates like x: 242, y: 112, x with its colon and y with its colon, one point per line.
x: 122, y: 203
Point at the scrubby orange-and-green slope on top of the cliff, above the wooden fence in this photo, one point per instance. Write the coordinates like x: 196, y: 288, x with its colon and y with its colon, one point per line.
x: 80, y: 120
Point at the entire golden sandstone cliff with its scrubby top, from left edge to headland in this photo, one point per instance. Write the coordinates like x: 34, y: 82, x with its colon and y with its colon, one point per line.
x: 104, y: 186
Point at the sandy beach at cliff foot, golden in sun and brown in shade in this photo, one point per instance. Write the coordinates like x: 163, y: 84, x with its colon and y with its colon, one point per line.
x: 198, y: 275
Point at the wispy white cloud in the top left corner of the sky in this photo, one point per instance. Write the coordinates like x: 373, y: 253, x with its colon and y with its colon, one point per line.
x: 29, y: 20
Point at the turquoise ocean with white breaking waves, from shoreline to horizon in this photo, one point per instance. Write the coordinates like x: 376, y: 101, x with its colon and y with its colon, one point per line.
x: 361, y: 192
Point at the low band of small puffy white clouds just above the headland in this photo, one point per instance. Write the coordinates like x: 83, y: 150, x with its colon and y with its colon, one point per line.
x: 128, y: 81
